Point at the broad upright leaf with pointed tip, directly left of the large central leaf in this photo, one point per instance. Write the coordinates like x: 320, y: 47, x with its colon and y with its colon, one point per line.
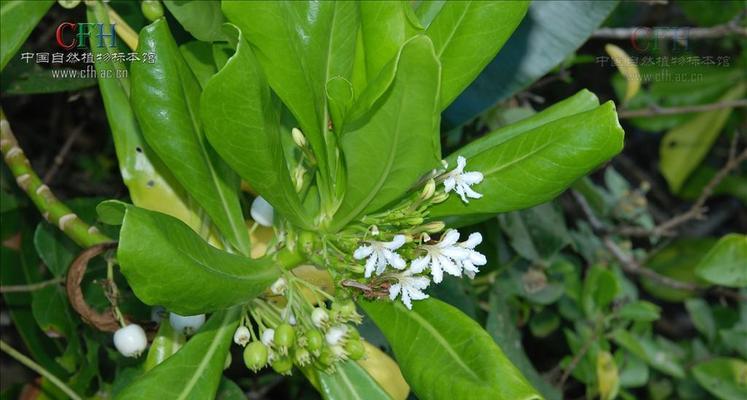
x: 242, y: 123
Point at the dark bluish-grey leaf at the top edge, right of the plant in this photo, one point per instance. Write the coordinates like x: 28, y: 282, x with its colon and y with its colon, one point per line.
x: 536, y: 47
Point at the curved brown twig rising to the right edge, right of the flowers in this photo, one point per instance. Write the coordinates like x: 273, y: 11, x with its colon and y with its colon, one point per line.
x: 698, y: 209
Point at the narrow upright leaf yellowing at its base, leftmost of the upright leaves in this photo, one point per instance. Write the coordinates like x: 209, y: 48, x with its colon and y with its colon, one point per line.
x: 149, y: 183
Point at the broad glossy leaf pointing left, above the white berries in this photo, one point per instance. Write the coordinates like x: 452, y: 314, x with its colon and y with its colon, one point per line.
x: 167, y: 263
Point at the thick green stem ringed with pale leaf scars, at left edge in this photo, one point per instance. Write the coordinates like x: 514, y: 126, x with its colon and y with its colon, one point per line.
x: 53, y: 210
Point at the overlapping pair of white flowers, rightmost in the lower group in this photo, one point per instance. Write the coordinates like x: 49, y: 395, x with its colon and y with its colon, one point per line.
x: 449, y: 256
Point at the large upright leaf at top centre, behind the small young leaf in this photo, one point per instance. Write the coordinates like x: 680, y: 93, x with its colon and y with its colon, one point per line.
x: 301, y: 46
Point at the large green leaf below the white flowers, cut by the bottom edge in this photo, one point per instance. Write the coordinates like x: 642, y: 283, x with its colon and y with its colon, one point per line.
x: 444, y: 354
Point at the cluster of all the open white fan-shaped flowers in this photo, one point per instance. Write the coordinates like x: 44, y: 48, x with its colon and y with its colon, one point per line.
x: 448, y: 255
